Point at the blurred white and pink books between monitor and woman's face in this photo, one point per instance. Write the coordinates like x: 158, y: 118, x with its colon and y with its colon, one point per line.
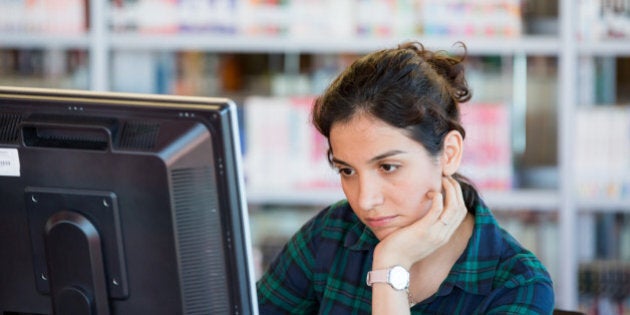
x: 284, y: 151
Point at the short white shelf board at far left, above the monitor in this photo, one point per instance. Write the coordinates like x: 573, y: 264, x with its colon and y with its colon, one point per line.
x: 29, y: 41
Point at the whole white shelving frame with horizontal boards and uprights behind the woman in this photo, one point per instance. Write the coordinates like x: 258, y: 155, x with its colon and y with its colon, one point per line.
x: 100, y: 42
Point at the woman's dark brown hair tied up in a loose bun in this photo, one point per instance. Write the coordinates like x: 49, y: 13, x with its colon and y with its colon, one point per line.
x: 408, y: 87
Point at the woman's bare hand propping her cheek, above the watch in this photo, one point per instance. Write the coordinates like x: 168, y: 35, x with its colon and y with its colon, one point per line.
x: 418, y: 240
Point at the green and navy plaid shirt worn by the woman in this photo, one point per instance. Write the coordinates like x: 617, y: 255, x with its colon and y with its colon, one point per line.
x: 322, y: 270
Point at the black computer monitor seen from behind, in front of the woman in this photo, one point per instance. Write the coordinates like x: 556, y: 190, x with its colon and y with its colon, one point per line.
x: 115, y: 203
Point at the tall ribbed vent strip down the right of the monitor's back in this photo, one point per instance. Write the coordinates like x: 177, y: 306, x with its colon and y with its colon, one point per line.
x: 200, y: 242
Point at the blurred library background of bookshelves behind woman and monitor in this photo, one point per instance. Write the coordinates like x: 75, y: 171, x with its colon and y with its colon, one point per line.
x: 548, y: 128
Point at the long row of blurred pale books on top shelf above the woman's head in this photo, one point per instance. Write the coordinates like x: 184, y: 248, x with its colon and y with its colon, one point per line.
x: 321, y: 18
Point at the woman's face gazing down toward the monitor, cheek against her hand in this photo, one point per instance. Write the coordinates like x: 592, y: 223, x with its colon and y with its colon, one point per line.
x: 385, y: 175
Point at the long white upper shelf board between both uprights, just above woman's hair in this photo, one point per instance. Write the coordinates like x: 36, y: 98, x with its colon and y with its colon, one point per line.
x: 542, y: 45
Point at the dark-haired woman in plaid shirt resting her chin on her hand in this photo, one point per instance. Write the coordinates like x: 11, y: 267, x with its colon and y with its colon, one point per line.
x: 413, y: 235
